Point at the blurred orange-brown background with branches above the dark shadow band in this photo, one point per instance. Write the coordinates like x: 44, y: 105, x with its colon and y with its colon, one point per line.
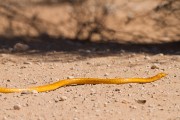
x: 132, y: 21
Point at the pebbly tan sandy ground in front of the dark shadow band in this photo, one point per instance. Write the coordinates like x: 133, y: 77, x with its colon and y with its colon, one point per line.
x: 159, y: 100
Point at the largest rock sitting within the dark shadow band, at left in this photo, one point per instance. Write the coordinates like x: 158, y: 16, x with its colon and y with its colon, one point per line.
x: 20, y: 47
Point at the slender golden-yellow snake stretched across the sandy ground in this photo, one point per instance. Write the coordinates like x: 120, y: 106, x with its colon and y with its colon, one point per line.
x: 77, y: 81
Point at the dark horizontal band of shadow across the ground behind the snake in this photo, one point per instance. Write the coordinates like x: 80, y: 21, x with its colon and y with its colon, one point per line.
x: 45, y: 43
